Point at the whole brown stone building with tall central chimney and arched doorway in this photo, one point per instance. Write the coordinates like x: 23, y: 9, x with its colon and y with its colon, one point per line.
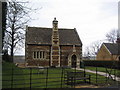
x: 52, y: 46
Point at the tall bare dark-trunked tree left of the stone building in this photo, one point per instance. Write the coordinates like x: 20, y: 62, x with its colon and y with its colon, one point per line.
x: 17, y: 17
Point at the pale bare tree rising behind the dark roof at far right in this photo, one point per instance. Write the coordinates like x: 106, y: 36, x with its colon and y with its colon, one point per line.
x: 112, y: 36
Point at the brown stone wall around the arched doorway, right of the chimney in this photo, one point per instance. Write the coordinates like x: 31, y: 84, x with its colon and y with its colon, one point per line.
x: 66, y: 53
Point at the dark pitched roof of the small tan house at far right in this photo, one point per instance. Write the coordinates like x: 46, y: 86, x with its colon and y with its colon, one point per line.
x: 113, y: 48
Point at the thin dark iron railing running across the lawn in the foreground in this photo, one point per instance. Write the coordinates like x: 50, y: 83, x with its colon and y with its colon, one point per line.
x: 46, y: 78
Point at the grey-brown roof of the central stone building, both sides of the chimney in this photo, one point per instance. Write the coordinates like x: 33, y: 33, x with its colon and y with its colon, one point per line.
x: 40, y: 35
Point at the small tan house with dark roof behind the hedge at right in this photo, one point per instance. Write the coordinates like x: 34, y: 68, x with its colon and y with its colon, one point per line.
x: 109, y: 51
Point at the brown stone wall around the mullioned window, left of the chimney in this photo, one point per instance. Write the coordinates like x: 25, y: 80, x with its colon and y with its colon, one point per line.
x: 39, y: 62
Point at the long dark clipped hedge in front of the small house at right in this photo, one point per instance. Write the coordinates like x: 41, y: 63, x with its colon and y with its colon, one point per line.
x: 96, y: 63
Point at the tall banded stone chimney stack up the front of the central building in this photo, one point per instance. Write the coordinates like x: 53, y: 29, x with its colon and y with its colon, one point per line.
x: 55, y: 54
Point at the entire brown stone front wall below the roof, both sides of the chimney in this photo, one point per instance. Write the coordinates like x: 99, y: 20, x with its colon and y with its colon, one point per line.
x: 66, y: 53
